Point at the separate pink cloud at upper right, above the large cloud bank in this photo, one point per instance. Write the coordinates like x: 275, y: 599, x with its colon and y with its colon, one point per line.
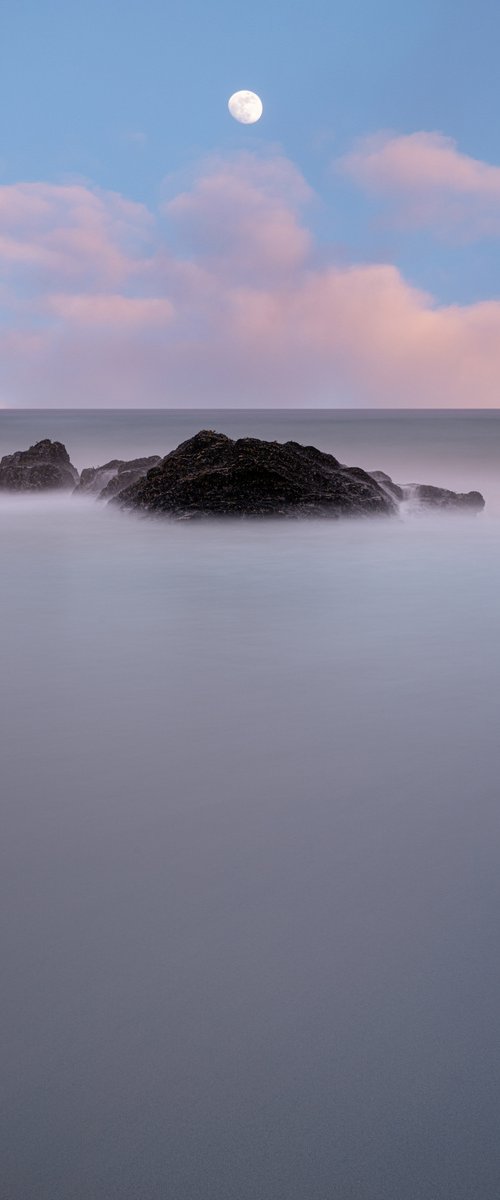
x: 429, y: 183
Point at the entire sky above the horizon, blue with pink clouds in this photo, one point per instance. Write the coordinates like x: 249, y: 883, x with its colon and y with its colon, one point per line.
x: 342, y: 253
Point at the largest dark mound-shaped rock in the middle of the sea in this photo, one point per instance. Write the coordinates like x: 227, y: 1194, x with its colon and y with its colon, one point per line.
x: 213, y: 476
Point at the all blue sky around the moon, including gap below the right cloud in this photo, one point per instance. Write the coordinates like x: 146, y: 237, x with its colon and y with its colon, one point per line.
x: 132, y: 99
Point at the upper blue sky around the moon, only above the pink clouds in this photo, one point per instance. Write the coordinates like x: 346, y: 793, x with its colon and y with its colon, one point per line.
x: 76, y: 80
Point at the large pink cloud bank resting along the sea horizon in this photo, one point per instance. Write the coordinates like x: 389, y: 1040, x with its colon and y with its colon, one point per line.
x: 101, y: 308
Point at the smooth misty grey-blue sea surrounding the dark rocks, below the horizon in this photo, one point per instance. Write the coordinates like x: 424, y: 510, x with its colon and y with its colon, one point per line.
x: 250, y: 783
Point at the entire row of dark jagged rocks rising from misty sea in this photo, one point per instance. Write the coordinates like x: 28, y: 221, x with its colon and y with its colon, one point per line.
x: 214, y: 476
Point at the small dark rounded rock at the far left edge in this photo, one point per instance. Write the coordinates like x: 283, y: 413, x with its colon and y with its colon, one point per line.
x: 43, y: 467
